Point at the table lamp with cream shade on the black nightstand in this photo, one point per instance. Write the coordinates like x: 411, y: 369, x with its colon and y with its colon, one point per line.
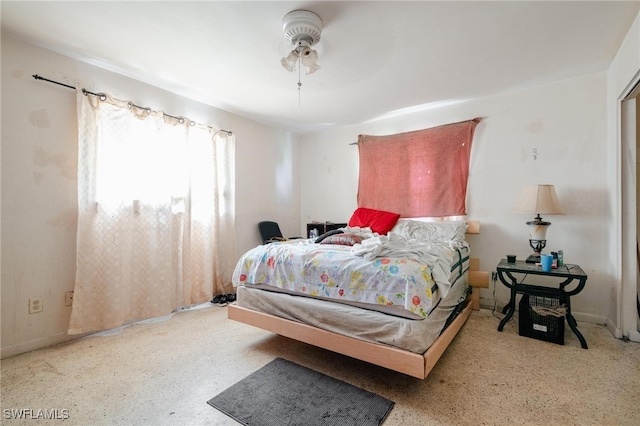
x: 538, y: 199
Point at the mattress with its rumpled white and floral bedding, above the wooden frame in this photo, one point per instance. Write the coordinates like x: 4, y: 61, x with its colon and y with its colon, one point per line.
x: 397, y: 290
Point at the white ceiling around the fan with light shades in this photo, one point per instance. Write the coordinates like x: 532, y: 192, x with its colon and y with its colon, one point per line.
x: 377, y: 58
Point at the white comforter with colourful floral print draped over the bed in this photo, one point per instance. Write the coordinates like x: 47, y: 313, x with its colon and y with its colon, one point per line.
x: 385, y: 270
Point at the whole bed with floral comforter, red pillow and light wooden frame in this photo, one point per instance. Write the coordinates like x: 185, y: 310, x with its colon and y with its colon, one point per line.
x: 395, y: 298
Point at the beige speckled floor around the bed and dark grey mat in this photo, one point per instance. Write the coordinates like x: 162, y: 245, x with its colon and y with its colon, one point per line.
x: 163, y: 373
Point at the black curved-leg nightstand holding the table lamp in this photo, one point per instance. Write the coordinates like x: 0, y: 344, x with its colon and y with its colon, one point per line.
x: 569, y: 274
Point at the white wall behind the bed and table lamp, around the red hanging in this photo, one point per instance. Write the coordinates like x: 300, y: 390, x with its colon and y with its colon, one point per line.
x: 554, y: 133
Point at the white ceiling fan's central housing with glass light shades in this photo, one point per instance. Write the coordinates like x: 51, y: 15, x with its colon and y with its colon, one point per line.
x: 302, y: 29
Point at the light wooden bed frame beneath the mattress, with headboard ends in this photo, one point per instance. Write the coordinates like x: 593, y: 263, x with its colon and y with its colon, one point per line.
x: 412, y: 364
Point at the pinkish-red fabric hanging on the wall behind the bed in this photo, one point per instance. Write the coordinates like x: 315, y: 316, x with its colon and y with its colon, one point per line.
x: 417, y: 174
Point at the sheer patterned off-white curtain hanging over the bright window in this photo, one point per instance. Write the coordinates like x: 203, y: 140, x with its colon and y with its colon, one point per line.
x: 156, y: 214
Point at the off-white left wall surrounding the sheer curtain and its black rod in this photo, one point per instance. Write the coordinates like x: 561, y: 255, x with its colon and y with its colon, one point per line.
x: 39, y: 158
